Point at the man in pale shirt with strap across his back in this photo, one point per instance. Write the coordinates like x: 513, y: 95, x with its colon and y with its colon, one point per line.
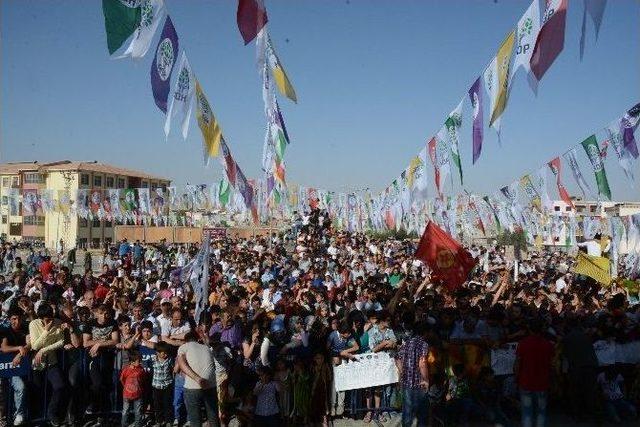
x: 197, y: 364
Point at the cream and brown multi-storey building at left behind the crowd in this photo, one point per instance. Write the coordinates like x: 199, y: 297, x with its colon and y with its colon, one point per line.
x: 64, y: 177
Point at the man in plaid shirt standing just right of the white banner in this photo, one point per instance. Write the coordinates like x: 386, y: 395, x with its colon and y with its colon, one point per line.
x: 414, y: 377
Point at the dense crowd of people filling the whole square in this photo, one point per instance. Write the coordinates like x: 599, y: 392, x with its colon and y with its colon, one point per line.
x: 122, y: 345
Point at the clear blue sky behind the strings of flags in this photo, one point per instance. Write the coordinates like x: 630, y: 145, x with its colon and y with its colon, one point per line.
x: 375, y: 80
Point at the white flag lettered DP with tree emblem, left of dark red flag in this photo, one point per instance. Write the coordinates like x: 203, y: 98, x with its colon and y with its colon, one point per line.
x: 526, y: 34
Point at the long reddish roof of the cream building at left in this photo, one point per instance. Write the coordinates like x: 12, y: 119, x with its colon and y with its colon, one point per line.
x: 68, y: 165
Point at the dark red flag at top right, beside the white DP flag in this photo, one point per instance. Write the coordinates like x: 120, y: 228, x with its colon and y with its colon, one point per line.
x: 550, y: 40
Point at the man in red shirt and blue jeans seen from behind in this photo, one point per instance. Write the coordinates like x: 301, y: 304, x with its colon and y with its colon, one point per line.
x: 533, y: 373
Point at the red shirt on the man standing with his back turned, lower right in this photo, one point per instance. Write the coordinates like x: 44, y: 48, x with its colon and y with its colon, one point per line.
x: 534, y: 354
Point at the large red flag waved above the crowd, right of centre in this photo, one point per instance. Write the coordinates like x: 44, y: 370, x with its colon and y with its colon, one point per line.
x: 446, y: 257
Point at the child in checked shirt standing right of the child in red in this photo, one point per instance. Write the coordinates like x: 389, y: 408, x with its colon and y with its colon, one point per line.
x: 162, y: 384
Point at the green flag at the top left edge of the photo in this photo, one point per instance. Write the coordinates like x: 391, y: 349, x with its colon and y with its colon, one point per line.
x: 121, y: 18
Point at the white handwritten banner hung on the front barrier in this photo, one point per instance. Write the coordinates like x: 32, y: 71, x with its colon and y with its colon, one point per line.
x: 367, y: 370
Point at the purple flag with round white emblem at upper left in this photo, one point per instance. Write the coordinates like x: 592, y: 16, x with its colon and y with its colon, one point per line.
x: 162, y: 66
